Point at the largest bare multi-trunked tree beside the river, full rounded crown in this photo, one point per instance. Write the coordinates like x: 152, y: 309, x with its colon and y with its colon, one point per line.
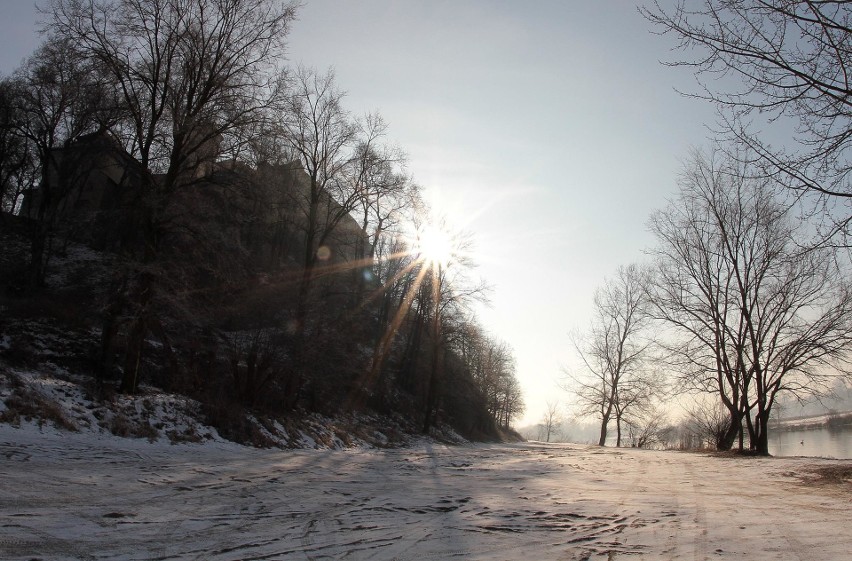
x: 752, y: 313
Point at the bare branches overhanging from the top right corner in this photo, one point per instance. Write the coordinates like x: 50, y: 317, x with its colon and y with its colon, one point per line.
x: 777, y: 59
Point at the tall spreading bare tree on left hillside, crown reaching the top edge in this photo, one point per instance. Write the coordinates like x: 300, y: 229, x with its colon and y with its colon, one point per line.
x: 188, y: 74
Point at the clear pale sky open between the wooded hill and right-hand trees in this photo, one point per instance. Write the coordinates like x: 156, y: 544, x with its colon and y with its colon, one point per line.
x: 549, y: 130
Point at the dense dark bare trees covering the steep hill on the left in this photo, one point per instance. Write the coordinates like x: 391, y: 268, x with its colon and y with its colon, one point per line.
x: 181, y: 85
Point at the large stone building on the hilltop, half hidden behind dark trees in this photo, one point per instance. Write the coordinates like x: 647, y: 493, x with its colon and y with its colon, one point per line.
x: 95, y: 188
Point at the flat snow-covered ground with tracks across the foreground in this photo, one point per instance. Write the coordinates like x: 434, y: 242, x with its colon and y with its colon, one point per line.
x: 86, y: 496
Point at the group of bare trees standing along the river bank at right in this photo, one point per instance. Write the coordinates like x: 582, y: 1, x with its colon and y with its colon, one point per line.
x: 733, y: 304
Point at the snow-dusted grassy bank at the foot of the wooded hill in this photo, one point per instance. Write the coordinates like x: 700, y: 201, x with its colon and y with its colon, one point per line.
x: 49, y: 397
